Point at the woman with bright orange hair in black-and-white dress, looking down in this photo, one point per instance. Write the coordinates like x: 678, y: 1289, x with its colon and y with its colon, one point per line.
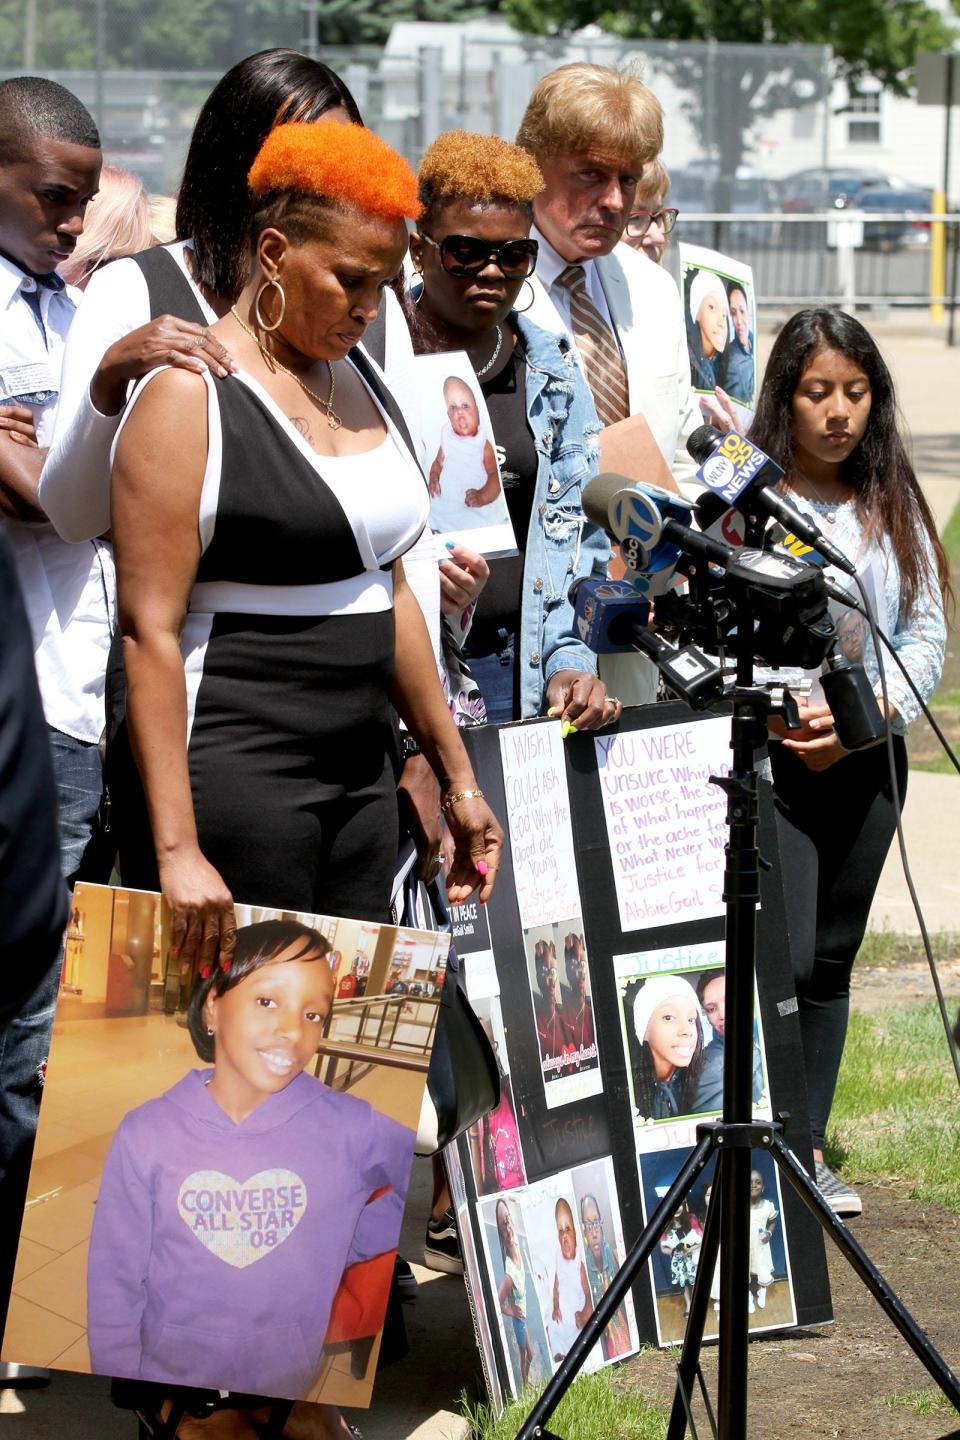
x: 258, y: 523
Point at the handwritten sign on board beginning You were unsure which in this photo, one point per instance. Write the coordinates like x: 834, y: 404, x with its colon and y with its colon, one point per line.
x: 667, y: 824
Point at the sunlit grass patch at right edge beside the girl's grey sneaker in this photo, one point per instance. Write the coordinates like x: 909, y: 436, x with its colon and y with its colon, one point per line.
x: 897, y: 1108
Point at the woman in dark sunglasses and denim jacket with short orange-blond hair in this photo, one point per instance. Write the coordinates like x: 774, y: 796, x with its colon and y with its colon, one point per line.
x: 474, y: 253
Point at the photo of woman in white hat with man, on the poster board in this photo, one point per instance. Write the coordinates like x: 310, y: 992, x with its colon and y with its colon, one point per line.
x: 674, y: 1029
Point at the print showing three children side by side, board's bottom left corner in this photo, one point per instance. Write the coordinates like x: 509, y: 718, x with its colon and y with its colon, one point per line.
x: 553, y: 1249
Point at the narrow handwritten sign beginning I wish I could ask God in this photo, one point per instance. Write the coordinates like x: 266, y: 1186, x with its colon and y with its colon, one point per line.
x: 539, y: 819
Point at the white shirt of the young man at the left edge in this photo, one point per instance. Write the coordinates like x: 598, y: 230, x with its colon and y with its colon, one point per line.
x: 67, y: 588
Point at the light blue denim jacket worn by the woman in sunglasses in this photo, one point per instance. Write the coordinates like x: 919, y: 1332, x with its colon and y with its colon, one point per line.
x: 562, y: 544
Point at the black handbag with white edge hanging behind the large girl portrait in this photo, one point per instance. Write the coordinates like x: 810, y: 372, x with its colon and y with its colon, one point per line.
x: 463, y: 1082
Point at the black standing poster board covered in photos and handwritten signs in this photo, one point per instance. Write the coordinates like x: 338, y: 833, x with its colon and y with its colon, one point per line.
x: 612, y: 878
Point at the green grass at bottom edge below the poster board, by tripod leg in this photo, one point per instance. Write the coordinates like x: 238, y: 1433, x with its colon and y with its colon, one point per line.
x: 595, y: 1408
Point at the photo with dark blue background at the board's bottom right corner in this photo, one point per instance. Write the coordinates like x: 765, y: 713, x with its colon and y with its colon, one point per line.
x: 676, y: 1262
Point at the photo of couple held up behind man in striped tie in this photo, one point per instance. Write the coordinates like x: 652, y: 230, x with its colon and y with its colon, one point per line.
x: 720, y: 310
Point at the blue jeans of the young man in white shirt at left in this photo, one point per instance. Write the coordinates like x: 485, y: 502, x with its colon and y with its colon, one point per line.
x: 27, y: 1039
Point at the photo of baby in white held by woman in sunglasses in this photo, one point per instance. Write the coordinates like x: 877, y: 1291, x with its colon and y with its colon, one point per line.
x: 460, y: 459
